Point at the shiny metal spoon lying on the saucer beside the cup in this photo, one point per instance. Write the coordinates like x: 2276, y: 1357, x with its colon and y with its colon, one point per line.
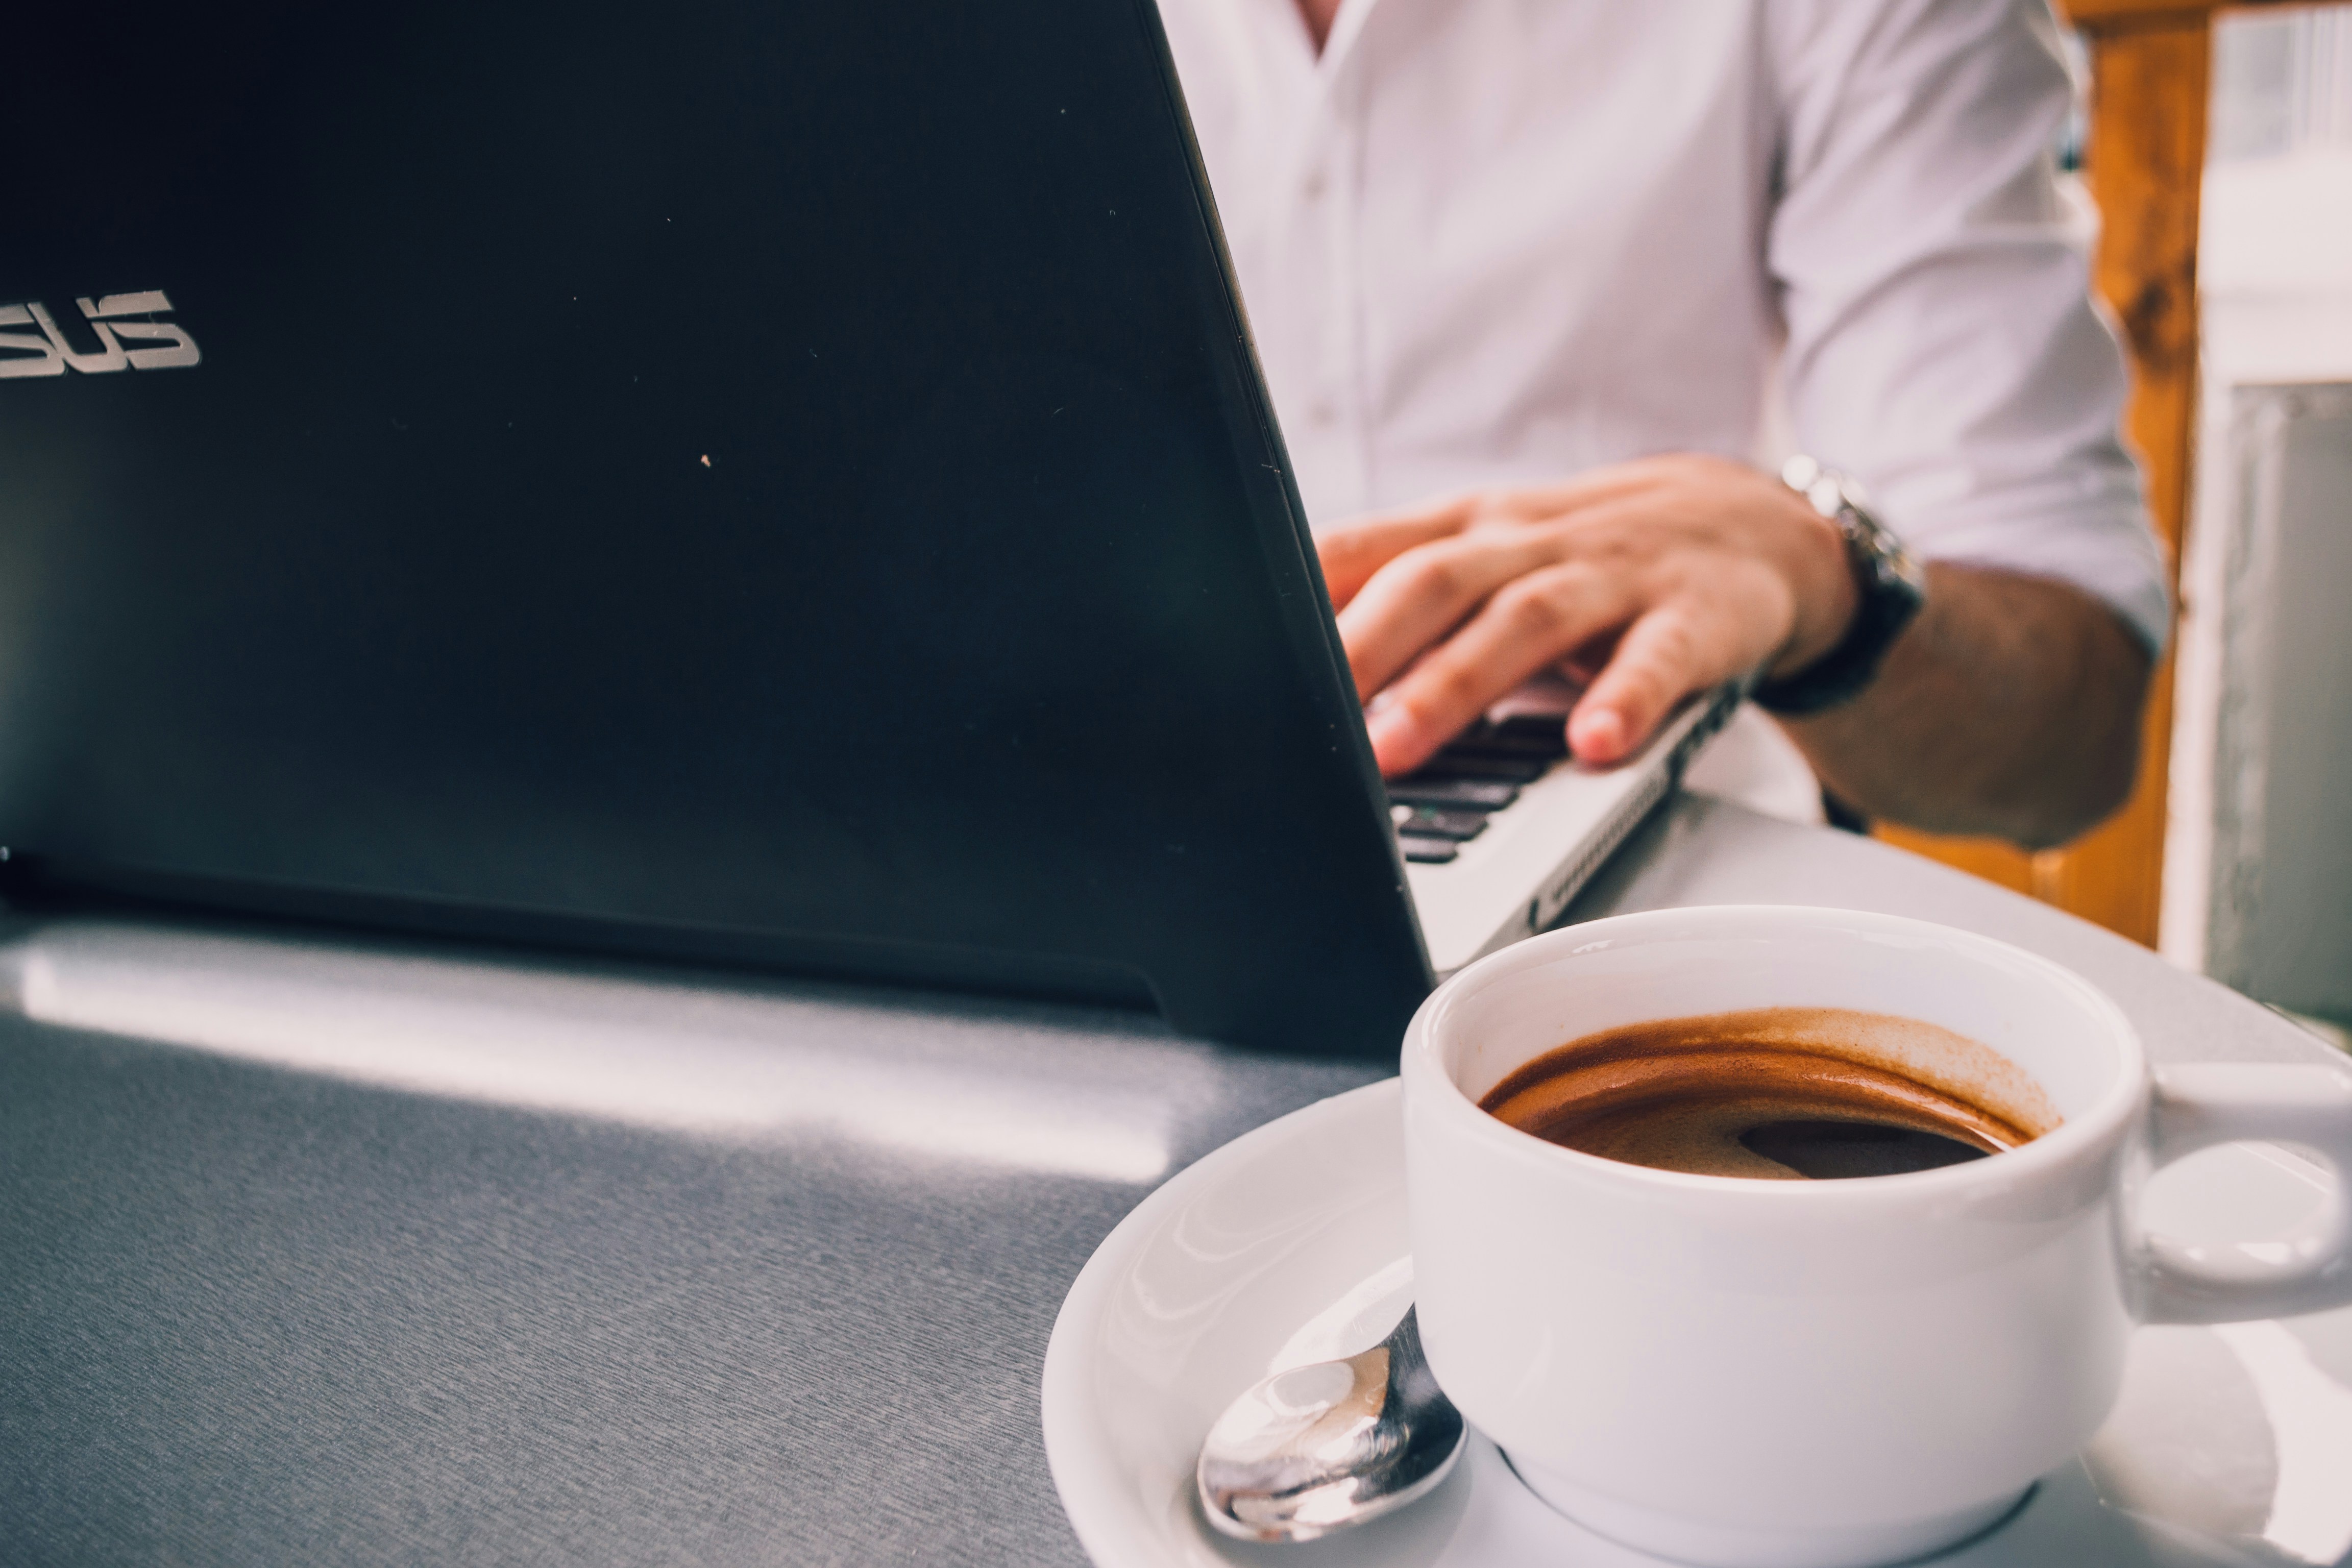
x: 1330, y: 1445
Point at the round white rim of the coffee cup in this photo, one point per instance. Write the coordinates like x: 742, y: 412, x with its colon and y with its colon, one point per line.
x: 2097, y: 1123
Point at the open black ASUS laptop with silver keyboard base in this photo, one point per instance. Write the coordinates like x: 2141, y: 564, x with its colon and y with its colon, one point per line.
x: 744, y: 483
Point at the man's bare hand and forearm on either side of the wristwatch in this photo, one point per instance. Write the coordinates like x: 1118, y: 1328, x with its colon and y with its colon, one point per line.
x: 2007, y: 706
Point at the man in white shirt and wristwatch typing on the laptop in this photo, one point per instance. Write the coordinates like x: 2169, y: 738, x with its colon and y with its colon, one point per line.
x: 1546, y: 260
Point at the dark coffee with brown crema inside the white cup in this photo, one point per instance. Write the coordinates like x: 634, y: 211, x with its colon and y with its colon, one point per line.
x: 1779, y: 1094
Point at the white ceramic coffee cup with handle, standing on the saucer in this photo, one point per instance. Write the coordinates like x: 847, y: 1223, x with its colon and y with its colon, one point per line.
x: 1765, y: 1374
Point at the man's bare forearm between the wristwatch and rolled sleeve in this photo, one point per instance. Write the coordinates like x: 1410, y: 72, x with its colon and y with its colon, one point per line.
x: 2012, y: 706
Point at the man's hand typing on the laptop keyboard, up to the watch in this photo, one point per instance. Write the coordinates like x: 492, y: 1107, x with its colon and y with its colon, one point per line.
x: 1652, y: 579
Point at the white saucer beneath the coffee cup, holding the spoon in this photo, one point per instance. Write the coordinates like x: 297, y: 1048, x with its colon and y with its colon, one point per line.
x: 1288, y: 1245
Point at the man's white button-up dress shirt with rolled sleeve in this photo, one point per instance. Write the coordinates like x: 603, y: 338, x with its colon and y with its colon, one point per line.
x: 1502, y: 241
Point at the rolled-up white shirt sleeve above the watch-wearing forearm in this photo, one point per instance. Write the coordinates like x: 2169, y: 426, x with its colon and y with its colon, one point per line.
x: 1942, y: 337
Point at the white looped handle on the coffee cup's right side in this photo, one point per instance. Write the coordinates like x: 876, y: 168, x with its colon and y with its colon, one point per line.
x: 2250, y: 1280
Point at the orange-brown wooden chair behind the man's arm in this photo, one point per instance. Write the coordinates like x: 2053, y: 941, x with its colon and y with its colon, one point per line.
x: 2151, y: 79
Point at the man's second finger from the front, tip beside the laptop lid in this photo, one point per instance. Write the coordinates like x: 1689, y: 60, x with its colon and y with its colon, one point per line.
x: 1523, y: 629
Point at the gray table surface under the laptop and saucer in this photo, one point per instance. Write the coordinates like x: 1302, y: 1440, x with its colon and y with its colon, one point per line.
x: 345, y: 1254
